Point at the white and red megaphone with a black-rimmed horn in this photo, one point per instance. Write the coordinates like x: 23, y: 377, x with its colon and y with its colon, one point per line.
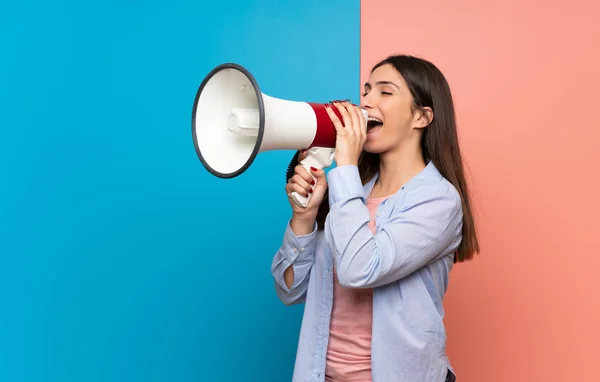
x: 233, y: 121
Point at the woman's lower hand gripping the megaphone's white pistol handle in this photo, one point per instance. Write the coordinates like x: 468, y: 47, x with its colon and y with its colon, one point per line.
x: 303, y: 183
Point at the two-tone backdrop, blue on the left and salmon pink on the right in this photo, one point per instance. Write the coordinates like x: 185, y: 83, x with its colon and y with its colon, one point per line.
x: 122, y: 259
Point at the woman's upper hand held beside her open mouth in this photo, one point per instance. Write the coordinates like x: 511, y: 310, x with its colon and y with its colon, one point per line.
x: 351, y: 135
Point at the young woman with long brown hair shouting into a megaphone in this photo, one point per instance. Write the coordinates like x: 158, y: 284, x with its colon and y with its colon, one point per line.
x: 371, y: 254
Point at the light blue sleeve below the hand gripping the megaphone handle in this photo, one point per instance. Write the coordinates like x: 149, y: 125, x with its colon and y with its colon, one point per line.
x: 298, y: 252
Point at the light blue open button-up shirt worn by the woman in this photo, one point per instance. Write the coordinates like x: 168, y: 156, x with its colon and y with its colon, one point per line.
x: 406, y: 262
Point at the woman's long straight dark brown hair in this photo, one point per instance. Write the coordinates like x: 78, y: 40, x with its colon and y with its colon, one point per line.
x: 439, y: 141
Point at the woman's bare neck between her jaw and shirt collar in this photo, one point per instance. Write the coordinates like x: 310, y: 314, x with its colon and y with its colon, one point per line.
x: 396, y: 168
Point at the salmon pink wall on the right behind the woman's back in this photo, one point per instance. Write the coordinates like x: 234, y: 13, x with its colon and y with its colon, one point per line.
x: 527, y: 89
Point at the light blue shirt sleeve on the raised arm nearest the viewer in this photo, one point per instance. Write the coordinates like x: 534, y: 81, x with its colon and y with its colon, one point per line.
x: 425, y: 226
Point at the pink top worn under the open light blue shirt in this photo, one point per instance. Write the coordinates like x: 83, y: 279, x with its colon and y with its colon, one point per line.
x: 349, y: 347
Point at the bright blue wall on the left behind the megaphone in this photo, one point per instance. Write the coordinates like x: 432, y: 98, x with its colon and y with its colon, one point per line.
x: 122, y: 259
